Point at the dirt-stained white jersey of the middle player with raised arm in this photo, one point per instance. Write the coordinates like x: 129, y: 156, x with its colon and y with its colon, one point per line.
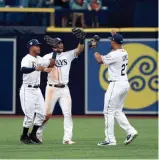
x: 60, y: 72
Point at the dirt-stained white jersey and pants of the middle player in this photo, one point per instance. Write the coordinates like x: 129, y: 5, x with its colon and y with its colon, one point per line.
x: 60, y: 74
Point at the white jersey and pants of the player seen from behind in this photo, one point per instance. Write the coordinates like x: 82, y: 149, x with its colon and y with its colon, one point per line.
x: 116, y: 93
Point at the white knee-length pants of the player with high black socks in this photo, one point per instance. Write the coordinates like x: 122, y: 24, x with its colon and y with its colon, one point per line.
x: 32, y: 103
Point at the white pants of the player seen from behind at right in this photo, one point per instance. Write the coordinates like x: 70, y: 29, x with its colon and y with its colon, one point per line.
x: 113, y: 106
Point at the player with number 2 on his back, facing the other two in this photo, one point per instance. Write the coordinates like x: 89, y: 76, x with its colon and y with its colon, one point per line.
x: 117, y: 61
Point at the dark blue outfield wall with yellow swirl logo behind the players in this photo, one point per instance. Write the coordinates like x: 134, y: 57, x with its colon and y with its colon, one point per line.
x: 88, y: 80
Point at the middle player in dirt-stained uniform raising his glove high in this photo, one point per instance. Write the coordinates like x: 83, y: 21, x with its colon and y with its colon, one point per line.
x: 58, y: 78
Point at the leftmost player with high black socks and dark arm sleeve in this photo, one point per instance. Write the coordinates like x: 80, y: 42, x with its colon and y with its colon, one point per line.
x: 31, y: 98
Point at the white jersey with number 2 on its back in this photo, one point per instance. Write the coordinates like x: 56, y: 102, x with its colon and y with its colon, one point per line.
x: 117, y: 62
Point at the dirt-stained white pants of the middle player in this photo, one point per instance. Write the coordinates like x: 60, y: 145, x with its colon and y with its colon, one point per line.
x: 62, y: 95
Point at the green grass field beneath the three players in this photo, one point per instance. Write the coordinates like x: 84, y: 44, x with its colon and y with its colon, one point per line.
x: 87, y: 133
